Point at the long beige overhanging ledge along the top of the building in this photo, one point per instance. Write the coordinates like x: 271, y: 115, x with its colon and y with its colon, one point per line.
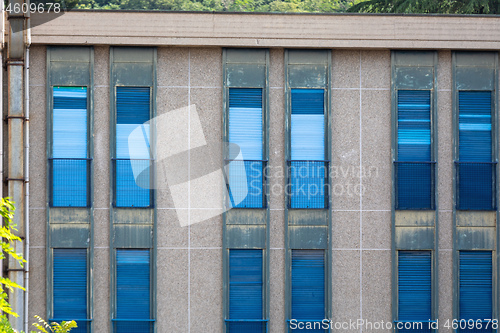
x: 270, y: 30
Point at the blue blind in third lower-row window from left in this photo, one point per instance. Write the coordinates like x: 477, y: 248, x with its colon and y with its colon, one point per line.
x: 245, y: 292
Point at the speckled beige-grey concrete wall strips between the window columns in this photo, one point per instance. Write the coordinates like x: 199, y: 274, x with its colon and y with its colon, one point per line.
x: 189, y: 265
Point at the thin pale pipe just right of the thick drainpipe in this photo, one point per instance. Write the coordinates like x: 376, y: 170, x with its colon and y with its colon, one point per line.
x: 27, y: 172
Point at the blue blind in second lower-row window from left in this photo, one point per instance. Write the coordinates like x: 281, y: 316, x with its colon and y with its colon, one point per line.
x: 133, y: 291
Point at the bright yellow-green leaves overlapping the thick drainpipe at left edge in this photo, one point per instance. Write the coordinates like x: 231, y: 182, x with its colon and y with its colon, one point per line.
x: 7, y: 240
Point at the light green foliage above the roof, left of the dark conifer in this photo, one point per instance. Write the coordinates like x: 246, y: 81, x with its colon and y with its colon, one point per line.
x: 322, y: 6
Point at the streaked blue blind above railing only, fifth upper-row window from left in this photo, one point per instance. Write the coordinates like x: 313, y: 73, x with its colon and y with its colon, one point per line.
x: 414, y: 125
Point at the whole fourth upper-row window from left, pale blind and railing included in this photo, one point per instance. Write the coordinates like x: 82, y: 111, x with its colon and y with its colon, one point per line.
x: 308, y: 168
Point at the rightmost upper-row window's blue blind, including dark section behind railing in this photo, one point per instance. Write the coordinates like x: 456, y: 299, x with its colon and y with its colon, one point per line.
x: 476, y: 173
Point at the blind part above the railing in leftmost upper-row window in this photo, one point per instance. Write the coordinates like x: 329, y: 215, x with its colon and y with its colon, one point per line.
x: 69, y: 132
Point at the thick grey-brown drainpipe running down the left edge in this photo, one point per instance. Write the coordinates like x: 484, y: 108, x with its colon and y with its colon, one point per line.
x: 15, y: 149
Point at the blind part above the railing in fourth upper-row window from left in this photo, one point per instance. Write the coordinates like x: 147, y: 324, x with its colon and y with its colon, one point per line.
x: 308, y: 124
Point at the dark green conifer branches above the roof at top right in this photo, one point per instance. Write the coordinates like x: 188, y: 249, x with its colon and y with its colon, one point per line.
x: 428, y: 6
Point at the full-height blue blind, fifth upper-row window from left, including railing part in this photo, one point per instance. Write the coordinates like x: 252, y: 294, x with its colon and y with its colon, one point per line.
x: 414, y: 170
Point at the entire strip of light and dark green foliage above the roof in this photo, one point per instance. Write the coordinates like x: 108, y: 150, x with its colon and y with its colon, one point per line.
x: 309, y: 6
